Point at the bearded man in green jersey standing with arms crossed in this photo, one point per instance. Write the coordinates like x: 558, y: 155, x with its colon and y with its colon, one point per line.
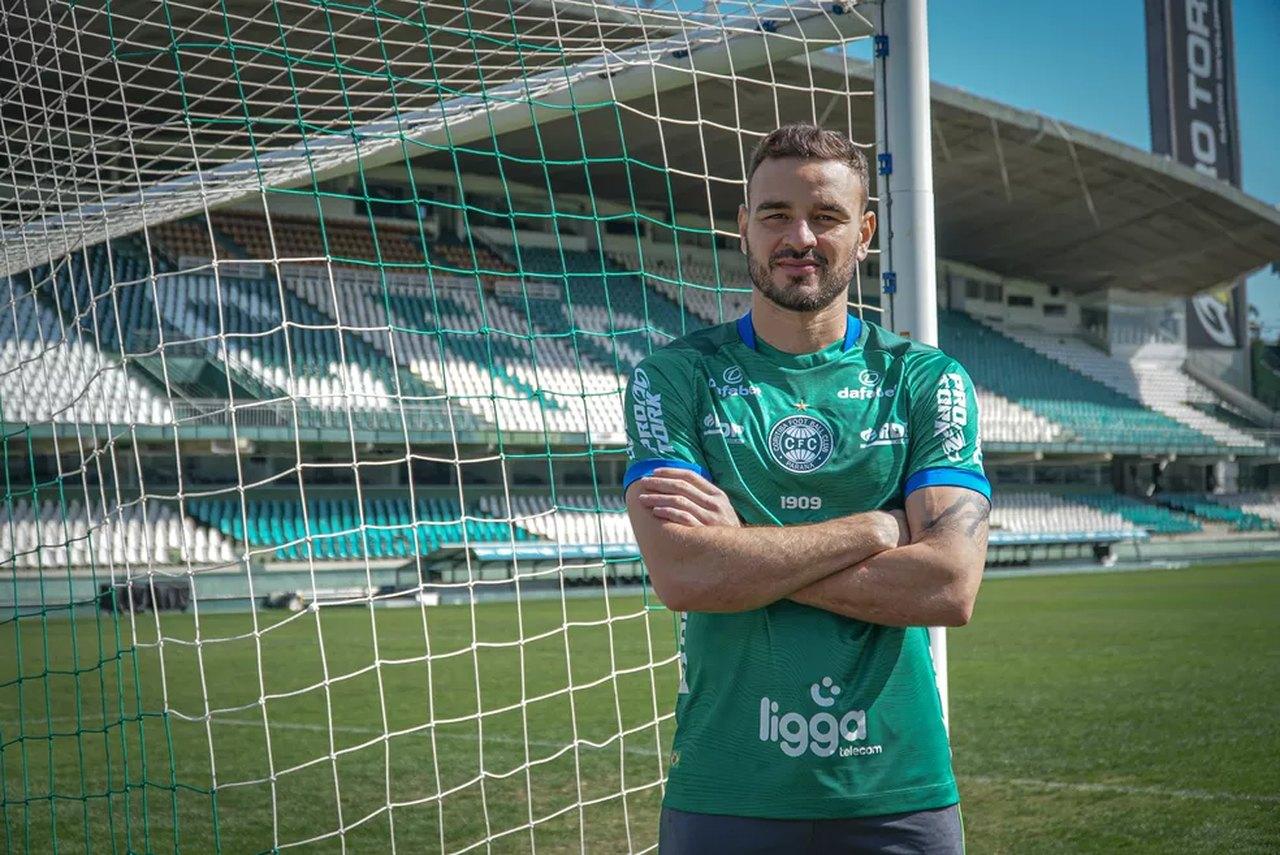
x: 807, y: 490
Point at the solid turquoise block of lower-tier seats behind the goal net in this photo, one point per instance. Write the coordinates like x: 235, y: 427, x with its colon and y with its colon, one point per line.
x: 344, y: 529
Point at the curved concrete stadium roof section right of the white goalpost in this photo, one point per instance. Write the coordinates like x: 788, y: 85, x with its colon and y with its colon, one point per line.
x: 1030, y: 196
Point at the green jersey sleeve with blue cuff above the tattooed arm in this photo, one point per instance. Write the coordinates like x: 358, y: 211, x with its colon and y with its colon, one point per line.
x: 945, y: 445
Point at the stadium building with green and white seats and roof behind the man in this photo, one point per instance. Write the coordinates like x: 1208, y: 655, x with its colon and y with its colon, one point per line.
x: 431, y: 353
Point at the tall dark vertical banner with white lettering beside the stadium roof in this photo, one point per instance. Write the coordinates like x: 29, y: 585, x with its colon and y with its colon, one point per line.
x: 1191, y: 84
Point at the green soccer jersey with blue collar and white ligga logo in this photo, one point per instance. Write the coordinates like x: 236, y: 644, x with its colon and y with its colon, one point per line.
x: 789, y: 711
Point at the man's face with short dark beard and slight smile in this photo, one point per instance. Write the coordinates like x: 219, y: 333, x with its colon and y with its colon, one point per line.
x: 804, y: 231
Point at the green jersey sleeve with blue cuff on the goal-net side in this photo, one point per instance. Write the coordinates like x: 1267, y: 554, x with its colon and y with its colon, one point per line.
x: 662, y: 420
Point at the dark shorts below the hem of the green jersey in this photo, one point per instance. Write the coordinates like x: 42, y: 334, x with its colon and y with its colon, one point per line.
x: 925, y: 833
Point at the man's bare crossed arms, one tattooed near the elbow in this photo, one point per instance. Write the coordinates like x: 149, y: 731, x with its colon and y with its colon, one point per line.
x: 920, y: 569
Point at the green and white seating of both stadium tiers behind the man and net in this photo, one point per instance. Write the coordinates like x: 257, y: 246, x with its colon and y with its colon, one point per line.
x: 522, y: 358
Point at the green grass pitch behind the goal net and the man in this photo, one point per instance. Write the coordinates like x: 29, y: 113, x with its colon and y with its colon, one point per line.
x: 1099, y: 714
